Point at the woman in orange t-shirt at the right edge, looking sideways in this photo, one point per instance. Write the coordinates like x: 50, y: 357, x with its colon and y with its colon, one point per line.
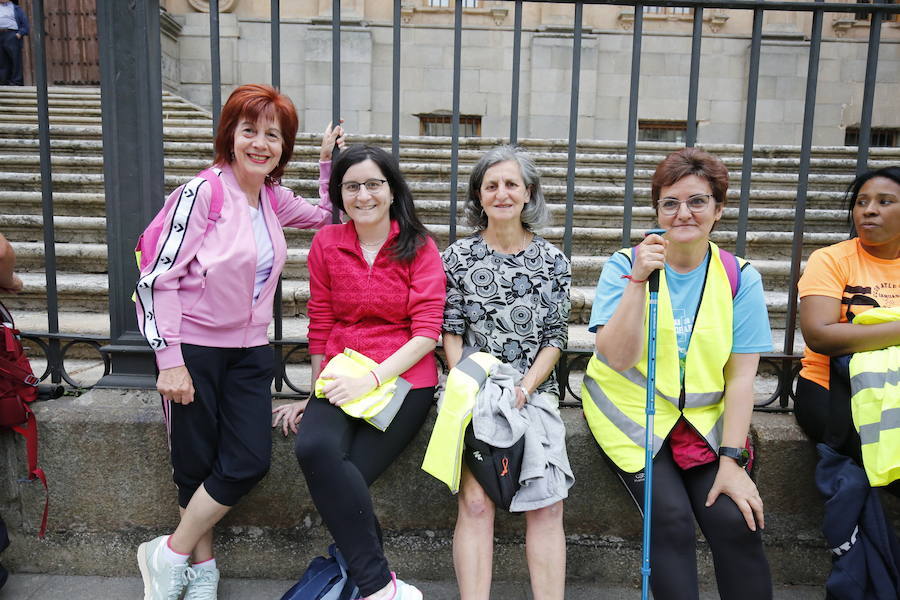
x: 842, y: 281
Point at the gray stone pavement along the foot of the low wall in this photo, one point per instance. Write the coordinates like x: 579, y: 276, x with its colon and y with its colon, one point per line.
x: 60, y: 587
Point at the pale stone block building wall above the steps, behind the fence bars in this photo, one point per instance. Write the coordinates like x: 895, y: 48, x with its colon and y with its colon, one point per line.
x: 426, y: 78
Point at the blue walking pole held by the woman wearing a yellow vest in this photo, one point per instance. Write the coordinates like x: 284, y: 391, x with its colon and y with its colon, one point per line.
x: 648, y: 435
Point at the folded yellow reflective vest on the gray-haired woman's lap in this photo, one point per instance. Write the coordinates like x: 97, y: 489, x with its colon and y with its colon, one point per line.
x: 443, y: 457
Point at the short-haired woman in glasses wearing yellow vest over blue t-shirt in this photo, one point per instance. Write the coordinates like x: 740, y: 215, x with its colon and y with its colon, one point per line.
x: 712, y: 324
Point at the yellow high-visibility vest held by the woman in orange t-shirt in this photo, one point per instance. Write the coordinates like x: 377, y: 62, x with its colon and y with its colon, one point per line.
x: 875, y: 402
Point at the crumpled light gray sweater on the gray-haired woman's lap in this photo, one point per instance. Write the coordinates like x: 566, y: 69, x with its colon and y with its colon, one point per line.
x: 546, y: 475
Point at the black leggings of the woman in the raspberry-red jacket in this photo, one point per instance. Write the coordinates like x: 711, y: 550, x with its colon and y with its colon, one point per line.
x: 341, y: 457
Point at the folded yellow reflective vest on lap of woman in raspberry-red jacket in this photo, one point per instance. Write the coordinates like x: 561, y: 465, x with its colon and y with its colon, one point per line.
x: 378, y: 407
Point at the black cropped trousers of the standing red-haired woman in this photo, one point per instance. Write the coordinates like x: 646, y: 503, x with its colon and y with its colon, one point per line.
x: 223, y: 439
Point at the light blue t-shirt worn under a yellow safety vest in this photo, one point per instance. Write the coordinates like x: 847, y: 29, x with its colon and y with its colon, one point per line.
x: 750, y: 325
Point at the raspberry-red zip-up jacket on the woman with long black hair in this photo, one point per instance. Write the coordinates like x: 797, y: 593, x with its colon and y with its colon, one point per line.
x: 373, y: 309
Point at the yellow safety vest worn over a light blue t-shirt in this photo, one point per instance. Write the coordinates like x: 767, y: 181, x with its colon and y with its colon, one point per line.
x: 614, y: 403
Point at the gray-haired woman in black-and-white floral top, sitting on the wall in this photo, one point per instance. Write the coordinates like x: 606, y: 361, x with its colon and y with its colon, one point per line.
x: 508, y: 295
